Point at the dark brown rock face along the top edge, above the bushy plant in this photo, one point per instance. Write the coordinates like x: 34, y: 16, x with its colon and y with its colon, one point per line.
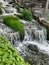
x: 32, y: 3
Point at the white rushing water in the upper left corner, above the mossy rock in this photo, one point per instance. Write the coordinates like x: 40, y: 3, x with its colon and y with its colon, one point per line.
x: 11, y: 10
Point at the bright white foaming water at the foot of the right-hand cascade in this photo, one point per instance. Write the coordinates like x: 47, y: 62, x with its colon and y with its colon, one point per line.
x: 42, y: 47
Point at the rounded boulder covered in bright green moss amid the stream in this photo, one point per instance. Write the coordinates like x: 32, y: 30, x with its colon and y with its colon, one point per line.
x: 15, y: 24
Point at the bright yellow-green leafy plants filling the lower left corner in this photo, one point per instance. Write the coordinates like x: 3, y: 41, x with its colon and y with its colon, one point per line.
x: 8, y: 54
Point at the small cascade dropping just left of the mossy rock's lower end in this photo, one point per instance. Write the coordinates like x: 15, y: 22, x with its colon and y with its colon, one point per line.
x: 15, y: 38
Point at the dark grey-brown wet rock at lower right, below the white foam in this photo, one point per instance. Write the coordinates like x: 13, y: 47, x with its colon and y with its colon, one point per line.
x: 35, y: 57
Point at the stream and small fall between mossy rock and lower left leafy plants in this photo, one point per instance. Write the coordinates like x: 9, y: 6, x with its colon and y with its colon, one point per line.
x: 9, y: 33
